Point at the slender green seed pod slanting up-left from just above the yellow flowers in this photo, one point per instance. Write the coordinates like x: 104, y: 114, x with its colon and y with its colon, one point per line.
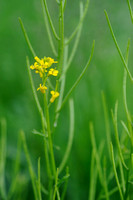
x: 26, y: 38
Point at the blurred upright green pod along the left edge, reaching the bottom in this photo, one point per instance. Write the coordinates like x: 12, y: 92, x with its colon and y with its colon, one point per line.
x: 3, y: 157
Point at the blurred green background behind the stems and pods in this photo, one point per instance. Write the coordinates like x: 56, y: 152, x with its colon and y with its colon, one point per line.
x: 105, y: 73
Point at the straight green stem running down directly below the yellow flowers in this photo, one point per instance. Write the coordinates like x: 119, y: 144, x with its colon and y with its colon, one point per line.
x: 49, y: 136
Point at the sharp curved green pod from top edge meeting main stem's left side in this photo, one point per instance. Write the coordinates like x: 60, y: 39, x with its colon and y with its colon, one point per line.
x: 50, y: 21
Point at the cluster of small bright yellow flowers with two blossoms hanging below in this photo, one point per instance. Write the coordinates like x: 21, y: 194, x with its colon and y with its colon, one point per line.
x: 44, y: 69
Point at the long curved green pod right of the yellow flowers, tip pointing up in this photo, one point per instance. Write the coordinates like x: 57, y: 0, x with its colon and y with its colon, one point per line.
x: 78, y: 79
